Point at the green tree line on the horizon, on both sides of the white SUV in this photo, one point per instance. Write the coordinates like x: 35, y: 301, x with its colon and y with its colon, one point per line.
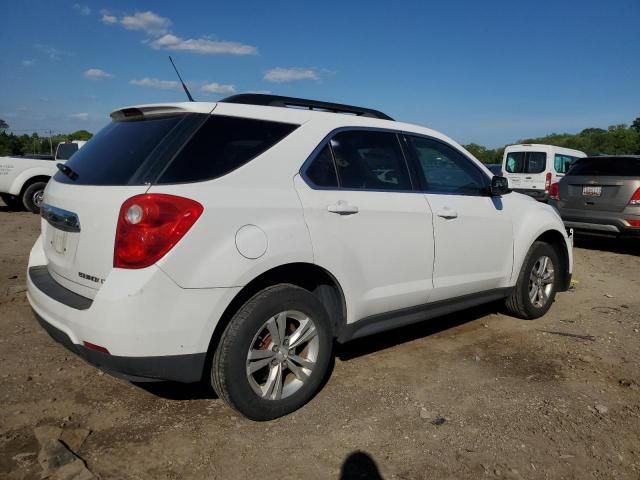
x: 617, y: 139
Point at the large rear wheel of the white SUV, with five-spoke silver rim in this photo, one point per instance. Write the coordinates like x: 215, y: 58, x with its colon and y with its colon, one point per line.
x: 274, y: 354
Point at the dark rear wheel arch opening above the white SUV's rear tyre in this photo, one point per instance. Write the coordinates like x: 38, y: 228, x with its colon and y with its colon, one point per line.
x: 309, y: 276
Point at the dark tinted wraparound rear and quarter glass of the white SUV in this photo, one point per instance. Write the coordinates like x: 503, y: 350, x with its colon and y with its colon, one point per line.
x: 171, y: 149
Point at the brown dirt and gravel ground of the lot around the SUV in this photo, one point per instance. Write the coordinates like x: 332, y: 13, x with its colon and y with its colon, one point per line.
x: 473, y: 395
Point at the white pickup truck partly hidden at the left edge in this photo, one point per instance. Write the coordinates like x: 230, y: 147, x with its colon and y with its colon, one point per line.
x: 22, y: 179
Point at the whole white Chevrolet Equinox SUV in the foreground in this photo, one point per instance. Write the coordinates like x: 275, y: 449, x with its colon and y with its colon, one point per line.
x: 236, y: 241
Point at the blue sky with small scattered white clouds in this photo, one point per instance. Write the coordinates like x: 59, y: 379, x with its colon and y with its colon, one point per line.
x: 489, y: 72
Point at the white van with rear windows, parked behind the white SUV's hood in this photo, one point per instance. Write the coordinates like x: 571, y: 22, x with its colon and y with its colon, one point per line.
x: 532, y: 168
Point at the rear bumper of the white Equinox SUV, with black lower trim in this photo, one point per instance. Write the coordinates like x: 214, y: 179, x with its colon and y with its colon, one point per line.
x: 152, y: 328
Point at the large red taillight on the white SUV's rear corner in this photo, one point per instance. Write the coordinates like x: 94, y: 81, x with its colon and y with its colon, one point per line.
x: 149, y: 226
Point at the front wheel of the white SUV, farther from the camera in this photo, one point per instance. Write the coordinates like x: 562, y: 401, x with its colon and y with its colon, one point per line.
x: 537, y: 283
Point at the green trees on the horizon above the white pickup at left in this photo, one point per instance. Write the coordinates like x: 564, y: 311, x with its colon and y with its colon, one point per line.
x: 16, y: 145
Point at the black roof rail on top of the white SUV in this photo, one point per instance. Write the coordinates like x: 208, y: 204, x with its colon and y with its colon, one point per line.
x: 279, y: 101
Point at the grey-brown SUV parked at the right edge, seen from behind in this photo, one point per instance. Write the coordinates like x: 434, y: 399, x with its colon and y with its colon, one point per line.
x: 600, y: 195
